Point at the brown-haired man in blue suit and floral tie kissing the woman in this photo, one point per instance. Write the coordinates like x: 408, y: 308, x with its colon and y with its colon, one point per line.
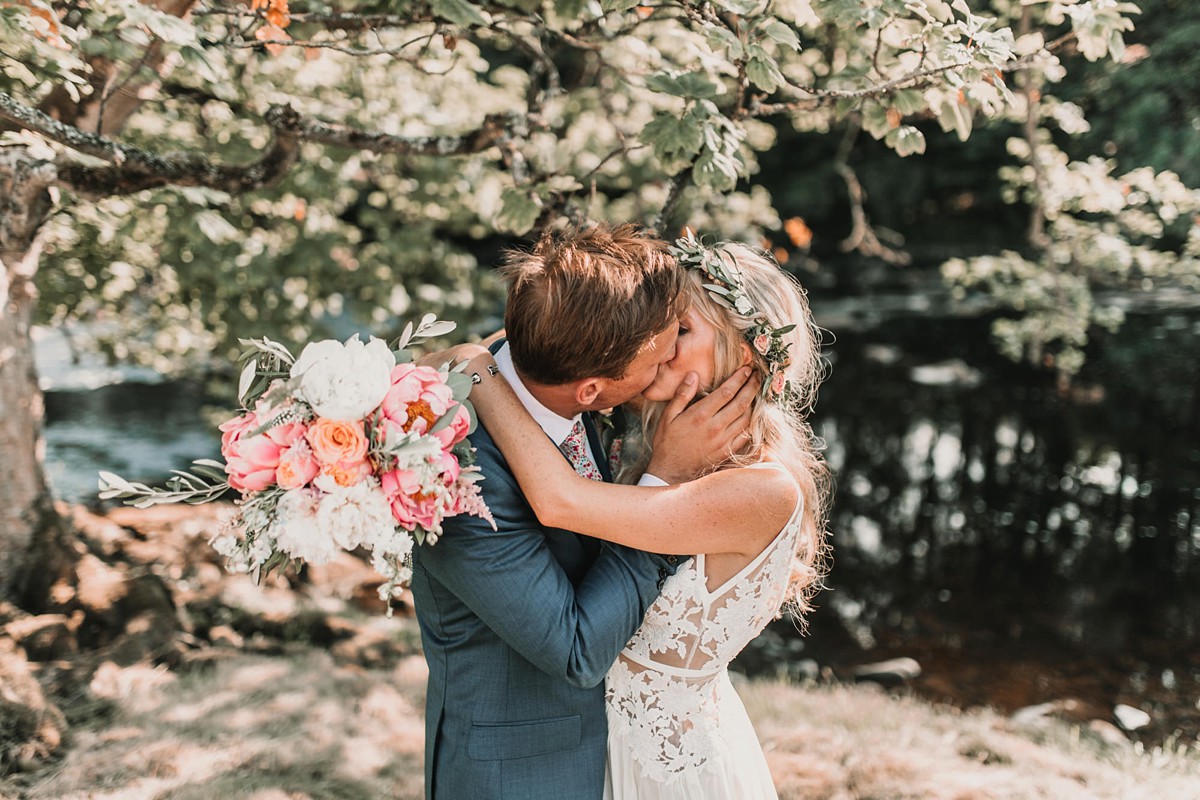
x: 520, y: 625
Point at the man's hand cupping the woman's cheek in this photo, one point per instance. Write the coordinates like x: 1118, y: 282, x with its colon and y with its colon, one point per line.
x: 694, y: 440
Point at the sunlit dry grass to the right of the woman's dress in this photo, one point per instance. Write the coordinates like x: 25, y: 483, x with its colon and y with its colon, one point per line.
x: 843, y: 743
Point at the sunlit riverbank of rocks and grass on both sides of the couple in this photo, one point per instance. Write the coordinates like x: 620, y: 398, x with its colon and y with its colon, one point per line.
x: 175, y: 681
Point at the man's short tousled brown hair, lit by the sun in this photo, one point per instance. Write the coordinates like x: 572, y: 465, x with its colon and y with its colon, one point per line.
x: 583, y: 304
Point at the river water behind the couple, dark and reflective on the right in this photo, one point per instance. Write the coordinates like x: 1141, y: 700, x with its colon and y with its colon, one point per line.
x: 1024, y: 543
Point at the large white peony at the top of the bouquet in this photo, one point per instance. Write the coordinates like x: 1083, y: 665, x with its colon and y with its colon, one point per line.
x: 345, y: 382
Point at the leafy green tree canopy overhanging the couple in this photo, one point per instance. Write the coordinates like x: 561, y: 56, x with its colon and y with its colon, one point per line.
x: 219, y: 169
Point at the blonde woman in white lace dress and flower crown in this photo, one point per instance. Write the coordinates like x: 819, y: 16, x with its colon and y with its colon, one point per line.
x: 755, y: 525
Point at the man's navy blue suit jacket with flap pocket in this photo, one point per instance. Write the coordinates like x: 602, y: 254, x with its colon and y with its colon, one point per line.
x: 520, y: 627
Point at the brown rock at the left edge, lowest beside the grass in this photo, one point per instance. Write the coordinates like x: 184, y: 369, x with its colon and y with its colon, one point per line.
x: 32, y: 729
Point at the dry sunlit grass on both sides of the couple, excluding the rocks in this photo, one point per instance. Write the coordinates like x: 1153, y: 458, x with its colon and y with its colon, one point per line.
x: 304, y: 729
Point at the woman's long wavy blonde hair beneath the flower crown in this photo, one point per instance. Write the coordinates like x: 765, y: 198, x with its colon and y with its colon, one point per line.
x: 778, y: 426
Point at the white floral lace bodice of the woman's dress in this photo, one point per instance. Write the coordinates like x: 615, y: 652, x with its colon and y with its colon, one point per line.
x: 663, y: 690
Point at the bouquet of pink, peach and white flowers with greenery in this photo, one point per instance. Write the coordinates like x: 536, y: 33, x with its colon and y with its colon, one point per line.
x: 350, y: 446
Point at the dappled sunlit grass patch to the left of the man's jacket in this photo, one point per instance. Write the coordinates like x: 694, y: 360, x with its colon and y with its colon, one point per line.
x: 295, y: 727
